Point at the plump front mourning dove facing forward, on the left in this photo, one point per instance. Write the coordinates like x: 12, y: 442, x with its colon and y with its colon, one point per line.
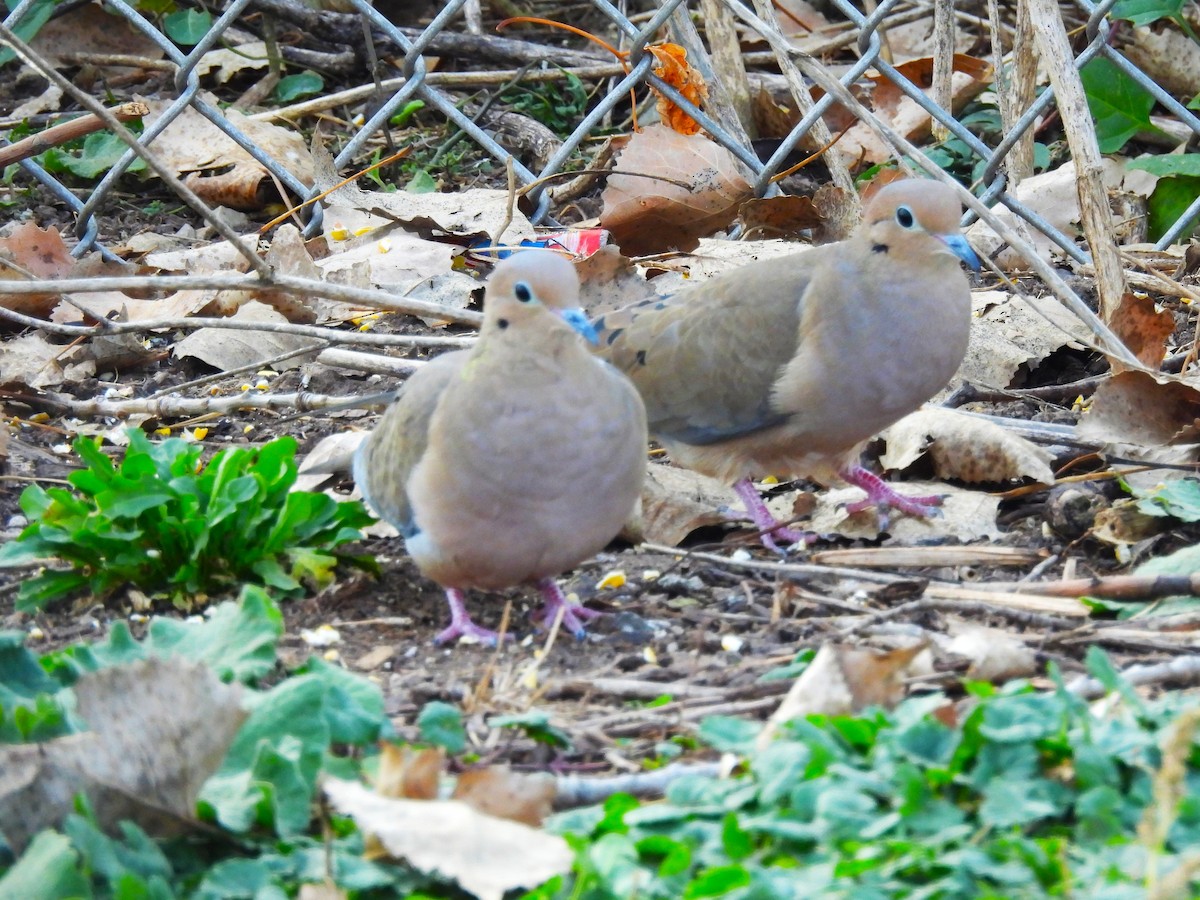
x: 515, y: 460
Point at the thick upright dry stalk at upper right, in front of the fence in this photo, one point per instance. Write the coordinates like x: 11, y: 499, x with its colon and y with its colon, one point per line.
x: 1054, y: 51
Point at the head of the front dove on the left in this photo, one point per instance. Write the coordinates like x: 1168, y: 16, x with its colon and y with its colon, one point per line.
x: 531, y: 286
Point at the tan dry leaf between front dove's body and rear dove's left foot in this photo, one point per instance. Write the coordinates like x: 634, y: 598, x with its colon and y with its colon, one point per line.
x: 677, y: 502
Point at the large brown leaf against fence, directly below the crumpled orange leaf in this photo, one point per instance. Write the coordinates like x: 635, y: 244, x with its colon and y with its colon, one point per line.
x: 647, y: 215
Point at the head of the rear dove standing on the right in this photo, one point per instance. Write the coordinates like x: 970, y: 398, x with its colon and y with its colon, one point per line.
x: 905, y: 215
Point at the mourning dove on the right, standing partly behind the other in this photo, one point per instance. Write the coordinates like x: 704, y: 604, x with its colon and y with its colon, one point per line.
x: 788, y: 367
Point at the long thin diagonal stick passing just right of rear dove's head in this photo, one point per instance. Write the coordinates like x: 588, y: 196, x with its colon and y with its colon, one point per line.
x: 1113, y: 345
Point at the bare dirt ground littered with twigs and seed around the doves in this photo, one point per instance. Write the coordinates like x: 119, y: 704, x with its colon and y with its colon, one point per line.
x: 686, y: 637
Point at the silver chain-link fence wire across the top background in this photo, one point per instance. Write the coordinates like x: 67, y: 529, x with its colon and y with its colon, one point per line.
x: 631, y: 32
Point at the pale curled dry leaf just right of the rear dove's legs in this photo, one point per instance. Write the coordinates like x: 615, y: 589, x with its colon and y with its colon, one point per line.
x: 965, y: 448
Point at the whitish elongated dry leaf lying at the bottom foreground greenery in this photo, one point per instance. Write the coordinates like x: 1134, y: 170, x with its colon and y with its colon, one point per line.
x: 485, y: 855
